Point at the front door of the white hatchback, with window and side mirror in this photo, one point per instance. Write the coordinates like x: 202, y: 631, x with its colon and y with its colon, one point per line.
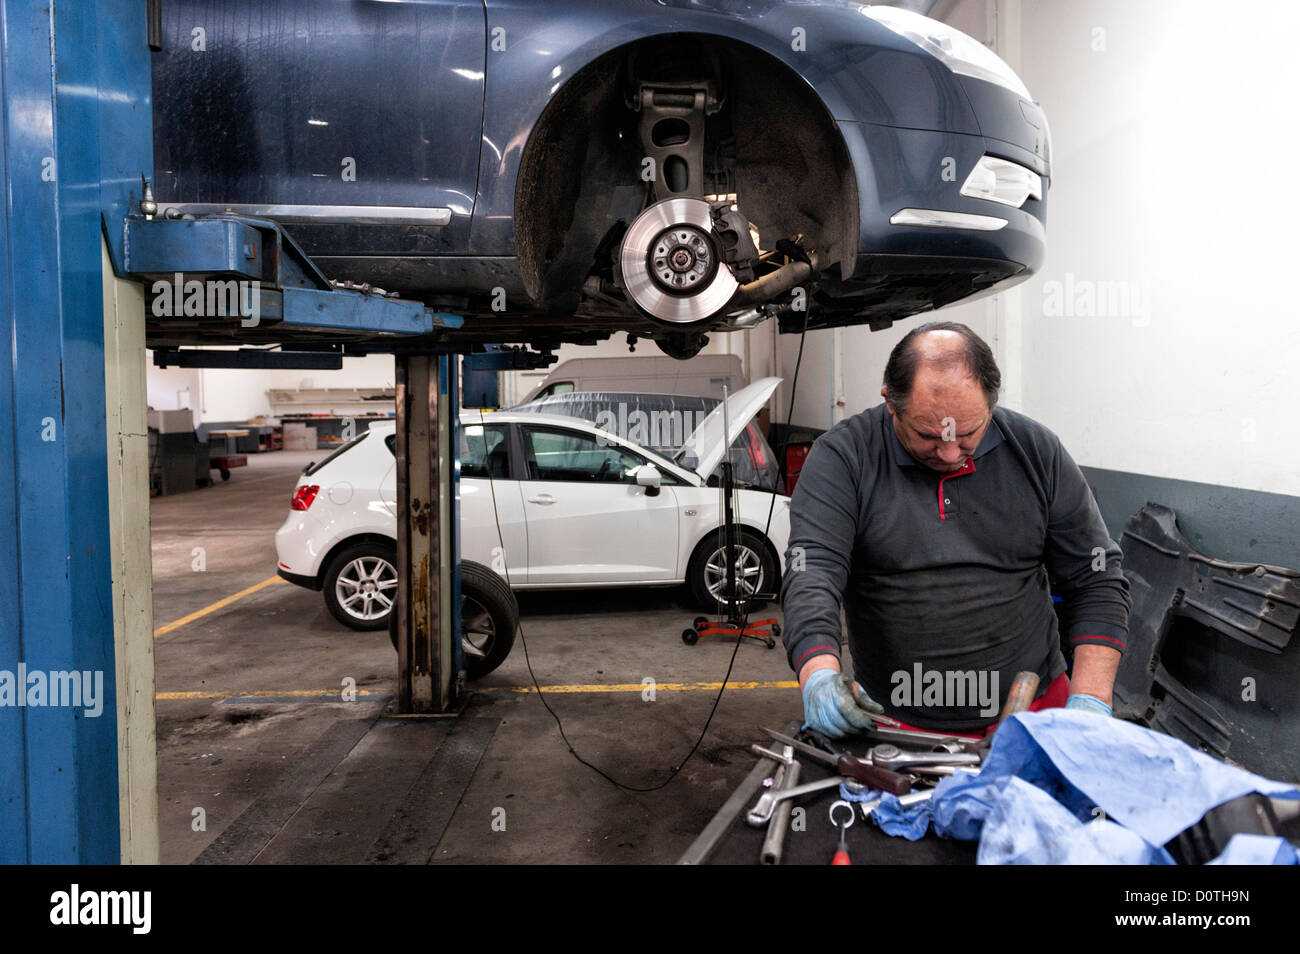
x: 588, y: 519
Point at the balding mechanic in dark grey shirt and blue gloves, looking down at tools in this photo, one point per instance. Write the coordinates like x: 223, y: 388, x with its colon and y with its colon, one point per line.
x: 938, y: 521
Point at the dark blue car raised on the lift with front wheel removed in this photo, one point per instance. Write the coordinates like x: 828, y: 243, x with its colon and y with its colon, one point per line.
x: 566, y: 170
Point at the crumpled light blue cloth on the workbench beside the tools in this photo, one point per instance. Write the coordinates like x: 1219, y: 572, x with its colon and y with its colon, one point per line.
x: 1069, y: 787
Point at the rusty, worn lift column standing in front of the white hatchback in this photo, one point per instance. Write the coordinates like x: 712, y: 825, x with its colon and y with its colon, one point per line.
x: 428, y: 657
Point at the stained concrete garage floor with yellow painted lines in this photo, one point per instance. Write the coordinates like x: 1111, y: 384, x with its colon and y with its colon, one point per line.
x: 252, y: 717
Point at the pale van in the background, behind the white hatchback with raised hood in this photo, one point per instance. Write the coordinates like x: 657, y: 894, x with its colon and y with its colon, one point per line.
x: 703, y: 376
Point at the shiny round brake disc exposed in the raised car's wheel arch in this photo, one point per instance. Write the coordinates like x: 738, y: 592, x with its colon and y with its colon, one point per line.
x: 671, y: 264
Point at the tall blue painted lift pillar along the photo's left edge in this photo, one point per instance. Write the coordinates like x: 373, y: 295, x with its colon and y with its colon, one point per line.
x: 75, y: 133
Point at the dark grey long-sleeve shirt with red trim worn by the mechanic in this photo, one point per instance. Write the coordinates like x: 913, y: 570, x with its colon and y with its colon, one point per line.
x: 947, y: 574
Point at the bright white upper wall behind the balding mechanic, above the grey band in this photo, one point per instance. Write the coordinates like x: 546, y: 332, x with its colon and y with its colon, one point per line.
x: 1173, y: 198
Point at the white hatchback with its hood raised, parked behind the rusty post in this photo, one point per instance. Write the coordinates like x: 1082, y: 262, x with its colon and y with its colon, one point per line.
x: 578, y: 506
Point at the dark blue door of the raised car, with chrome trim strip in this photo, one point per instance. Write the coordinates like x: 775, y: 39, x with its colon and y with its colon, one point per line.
x: 314, y: 105
